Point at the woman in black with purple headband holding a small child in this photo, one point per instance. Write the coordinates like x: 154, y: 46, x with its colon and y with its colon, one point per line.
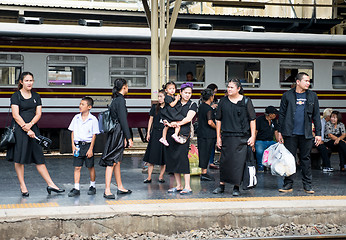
x: 176, y: 155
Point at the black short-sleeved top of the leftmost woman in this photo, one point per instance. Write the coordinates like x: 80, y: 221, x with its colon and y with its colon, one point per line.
x: 27, y: 107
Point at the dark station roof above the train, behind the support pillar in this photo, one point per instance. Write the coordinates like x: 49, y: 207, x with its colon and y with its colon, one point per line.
x: 69, y: 15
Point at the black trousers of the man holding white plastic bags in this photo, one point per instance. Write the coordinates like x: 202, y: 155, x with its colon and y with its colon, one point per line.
x: 292, y: 144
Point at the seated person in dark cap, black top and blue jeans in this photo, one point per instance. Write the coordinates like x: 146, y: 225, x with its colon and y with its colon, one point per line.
x: 266, y: 127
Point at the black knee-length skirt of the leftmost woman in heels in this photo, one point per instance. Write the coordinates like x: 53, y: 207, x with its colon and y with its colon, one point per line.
x: 26, y: 150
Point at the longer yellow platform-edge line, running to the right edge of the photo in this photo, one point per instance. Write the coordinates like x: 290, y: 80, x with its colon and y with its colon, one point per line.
x: 249, y: 199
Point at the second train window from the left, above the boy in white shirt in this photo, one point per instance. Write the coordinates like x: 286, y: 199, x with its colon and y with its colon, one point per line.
x: 67, y: 70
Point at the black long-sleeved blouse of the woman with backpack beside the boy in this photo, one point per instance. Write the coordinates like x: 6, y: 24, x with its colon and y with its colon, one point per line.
x: 119, y: 112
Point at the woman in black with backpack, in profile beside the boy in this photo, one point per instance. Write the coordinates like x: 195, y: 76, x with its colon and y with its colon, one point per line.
x: 117, y: 140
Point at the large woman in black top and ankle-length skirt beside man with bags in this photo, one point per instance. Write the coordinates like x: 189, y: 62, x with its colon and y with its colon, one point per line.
x: 235, y: 130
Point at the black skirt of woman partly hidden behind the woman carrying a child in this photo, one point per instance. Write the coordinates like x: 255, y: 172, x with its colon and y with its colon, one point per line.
x: 154, y: 153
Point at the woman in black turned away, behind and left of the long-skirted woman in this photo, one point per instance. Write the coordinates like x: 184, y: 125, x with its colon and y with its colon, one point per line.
x: 206, y: 132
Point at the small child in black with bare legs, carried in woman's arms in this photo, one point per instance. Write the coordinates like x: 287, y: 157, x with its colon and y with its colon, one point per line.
x: 171, y: 113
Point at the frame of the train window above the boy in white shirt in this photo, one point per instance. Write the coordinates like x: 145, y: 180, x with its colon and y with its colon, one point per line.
x: 64, y: 64
